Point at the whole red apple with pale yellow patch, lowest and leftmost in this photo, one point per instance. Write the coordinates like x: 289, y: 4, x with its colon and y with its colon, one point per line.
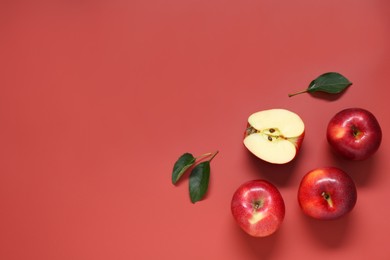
x: 258, y: 208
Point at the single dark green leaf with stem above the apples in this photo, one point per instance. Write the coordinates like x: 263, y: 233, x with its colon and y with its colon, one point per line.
x: 331, y: 82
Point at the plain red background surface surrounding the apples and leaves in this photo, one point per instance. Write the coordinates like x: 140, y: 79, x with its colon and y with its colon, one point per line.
x: 99, y: 98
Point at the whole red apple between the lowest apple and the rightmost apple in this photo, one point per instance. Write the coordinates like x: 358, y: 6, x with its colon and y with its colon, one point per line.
x: 327, y: 193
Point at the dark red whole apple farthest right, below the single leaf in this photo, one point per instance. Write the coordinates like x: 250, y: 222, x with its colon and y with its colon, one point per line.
x: 354, y: 133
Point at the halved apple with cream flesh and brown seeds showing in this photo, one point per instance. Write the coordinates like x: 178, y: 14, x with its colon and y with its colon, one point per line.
x: 274, y: 135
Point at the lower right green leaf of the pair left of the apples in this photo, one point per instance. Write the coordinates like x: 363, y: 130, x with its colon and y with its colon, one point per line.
x: 199, y: 181
